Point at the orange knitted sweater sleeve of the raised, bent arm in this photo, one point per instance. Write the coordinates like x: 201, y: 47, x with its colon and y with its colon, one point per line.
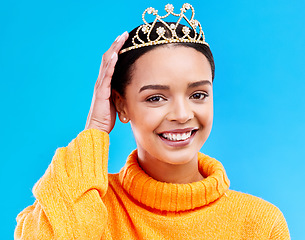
x: 69, y: 196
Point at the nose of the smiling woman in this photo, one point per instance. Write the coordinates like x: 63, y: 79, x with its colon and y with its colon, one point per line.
x: 180, y: 111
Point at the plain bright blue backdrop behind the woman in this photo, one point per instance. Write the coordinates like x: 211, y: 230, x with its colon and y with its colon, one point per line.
x: 50, y: 52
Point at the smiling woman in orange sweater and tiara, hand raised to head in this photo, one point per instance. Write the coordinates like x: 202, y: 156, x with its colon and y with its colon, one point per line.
x: 162, y: 83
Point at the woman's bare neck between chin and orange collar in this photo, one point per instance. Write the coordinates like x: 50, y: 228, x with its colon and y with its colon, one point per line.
x: 171, y: 173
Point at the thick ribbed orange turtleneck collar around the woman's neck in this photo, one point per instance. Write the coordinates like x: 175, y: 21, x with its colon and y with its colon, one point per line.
x: 175, y: 197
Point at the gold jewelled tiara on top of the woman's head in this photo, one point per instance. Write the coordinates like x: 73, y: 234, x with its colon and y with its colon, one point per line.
x: 147, y: 28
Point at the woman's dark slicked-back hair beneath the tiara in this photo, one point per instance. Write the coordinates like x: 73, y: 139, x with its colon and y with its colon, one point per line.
x: 124, y: 66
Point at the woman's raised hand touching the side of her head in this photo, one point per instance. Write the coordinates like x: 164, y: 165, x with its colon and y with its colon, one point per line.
x: 102, y: 111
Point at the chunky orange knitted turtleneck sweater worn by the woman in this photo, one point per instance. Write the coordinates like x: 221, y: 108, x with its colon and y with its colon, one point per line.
x: 77, y: 199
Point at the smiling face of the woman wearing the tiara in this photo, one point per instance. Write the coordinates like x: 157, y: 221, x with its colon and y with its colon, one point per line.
x: 169, y: 103
